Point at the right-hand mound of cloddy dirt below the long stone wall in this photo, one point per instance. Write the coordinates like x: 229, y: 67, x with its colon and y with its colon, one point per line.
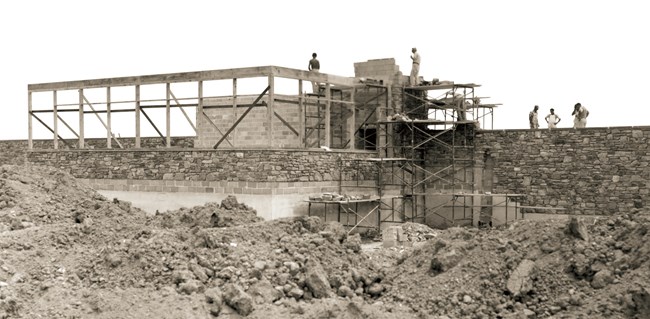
x: 533, y: 268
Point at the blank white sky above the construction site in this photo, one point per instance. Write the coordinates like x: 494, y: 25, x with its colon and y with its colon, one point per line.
x: 523, y: 53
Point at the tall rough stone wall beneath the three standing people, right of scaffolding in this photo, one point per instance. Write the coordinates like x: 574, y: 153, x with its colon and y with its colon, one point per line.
x: 587, y: 171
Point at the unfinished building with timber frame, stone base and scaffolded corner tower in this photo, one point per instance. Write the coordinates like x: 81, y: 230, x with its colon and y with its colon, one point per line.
x: 364, y: 150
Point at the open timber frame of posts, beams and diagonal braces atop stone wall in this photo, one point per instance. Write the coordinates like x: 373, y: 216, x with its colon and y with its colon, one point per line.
x: 85, y: 107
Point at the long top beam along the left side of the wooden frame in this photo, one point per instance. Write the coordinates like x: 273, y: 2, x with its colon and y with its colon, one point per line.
x: 250, y: 72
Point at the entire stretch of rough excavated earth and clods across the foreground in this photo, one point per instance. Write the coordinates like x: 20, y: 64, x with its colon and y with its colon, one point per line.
x: 68, y: 252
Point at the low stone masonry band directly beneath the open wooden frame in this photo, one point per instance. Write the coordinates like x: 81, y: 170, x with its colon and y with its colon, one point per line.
x: 203, y: 165
